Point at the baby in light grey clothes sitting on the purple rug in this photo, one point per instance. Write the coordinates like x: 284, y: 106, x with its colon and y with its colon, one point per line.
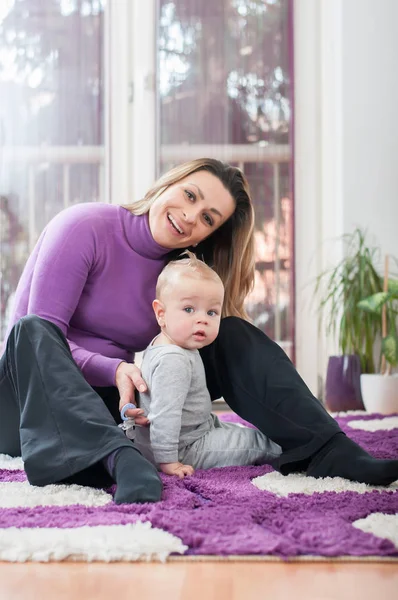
x: 184, y: 434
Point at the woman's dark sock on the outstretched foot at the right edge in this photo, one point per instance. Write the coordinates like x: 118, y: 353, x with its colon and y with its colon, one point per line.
x: 342, y: 457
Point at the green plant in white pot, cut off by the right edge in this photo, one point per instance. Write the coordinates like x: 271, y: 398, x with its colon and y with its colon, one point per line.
x: 380, y: 390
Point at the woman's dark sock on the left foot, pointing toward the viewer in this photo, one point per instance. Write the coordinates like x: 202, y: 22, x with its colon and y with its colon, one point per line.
x: 136, y: 478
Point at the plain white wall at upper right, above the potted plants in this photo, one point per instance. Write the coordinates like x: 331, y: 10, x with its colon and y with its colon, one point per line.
x: 370, y: 119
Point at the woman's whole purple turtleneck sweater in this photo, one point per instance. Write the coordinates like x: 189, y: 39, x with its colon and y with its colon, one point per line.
x: 93, y: 273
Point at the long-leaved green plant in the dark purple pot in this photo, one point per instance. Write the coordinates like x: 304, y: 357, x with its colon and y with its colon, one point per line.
x: 339, y: 290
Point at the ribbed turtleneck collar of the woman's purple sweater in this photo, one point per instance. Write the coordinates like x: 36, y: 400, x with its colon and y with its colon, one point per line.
x: 139, y: 236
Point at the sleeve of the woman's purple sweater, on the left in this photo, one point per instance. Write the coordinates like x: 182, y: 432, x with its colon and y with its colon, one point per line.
x: 66, y: 256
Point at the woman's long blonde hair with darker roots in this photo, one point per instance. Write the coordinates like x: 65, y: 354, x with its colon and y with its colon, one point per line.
x: 230, y: 249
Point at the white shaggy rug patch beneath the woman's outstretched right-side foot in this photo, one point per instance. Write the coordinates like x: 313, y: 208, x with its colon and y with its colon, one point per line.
x: 298, y: 483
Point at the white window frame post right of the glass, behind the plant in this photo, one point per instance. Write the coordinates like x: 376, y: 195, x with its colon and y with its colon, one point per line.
x: 318, y: 171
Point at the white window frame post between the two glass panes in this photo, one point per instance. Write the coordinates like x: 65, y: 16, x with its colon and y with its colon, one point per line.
x: 130, y: 140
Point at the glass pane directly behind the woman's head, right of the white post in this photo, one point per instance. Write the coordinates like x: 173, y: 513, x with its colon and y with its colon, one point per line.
x: 224, y: 88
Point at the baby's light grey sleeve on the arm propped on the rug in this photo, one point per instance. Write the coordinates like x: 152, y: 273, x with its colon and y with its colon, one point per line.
x: 170, y: 383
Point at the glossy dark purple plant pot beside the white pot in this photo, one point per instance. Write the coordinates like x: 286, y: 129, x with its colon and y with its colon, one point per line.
x: 343, y: 386
